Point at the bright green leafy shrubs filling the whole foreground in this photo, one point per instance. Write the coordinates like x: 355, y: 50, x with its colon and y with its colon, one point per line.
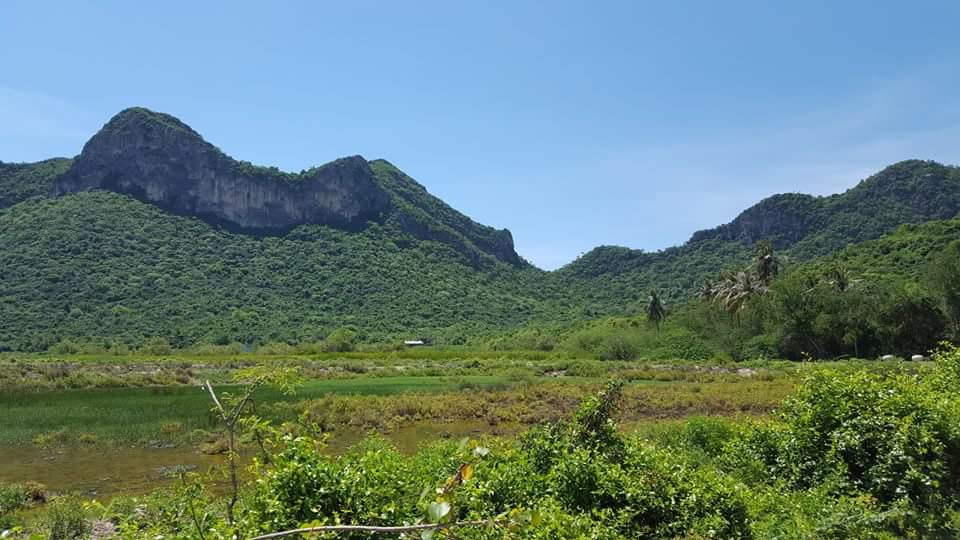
x: 852, y: 453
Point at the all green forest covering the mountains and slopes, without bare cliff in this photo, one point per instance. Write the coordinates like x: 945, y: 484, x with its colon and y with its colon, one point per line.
x: 99, y: 271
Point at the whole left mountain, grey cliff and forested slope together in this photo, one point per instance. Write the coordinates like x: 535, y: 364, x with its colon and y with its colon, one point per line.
x: 153, y: 231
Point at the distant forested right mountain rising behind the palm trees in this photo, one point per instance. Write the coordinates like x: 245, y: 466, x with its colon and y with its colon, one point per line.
x: 802, y: 227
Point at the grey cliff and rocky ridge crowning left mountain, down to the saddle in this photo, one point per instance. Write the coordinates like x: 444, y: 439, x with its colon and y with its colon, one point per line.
x: 156, y: 158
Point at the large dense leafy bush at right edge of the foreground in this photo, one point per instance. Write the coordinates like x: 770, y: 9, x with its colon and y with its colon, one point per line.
x: 894, y: 437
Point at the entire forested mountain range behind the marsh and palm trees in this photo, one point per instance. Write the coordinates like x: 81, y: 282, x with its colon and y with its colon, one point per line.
x: 153, y: 231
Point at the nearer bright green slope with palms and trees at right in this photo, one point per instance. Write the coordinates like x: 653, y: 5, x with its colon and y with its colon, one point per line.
x: 899, y: 295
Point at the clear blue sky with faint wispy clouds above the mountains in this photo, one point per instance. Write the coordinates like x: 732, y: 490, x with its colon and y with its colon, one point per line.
x: 573, y: 124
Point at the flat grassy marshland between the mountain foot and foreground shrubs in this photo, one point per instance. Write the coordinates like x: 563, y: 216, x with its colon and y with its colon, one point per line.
x: 61, y: 400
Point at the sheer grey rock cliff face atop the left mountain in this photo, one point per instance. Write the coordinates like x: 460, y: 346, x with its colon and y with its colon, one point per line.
x: 158, y: 159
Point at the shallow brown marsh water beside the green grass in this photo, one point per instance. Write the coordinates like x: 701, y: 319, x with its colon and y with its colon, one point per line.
x: 103, y: 472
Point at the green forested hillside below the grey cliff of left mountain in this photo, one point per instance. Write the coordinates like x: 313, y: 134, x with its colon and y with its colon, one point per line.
x: 103, y: 265
